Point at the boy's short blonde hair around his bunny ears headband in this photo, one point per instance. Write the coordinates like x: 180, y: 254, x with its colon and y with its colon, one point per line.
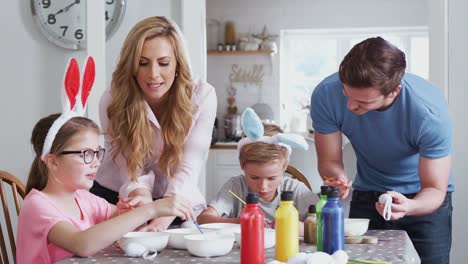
x: 264, y: 153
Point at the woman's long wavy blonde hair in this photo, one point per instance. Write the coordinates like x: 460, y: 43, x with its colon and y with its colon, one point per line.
x: 129, y: 127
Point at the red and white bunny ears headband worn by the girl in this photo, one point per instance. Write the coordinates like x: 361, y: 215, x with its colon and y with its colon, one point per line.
x: 74, y: 99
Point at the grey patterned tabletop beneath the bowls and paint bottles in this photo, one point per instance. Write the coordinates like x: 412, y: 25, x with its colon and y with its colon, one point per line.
x: 394, y: 246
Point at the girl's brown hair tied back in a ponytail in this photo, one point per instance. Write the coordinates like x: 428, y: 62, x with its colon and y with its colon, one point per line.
x: 38, y: 174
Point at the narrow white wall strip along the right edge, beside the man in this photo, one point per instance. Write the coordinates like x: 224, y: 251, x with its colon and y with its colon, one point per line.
x: 458, y: 98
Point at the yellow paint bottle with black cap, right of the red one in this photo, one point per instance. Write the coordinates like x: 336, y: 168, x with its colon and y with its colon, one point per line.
x: 287, y: 228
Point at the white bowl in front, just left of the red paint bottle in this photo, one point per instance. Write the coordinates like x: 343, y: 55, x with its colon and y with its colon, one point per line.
x: 214, y: 244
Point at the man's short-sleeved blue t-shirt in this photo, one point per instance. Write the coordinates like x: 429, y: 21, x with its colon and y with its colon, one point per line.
x: 388, y: 143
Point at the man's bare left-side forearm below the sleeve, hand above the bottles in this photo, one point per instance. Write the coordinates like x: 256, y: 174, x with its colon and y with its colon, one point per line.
x: 330, y: 161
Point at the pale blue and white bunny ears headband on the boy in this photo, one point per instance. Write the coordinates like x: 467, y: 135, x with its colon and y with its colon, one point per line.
x: 253, y: 129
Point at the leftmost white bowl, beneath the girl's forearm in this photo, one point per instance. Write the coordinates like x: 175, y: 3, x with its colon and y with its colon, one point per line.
x: 155, y: 241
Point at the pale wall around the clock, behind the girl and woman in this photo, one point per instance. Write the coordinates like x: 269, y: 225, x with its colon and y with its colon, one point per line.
x: 32, y: 69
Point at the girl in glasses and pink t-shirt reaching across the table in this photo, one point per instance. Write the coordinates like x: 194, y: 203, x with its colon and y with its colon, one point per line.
x: 59, y: 217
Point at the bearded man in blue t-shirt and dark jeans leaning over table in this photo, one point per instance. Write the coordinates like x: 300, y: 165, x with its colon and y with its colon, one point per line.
x: 400, y: 129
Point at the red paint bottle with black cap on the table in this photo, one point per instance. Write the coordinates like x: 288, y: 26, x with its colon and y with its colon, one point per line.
x: 252, y: 232
